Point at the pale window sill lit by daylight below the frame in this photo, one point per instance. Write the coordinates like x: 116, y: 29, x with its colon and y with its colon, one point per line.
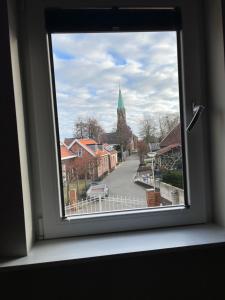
x: 109, y: 245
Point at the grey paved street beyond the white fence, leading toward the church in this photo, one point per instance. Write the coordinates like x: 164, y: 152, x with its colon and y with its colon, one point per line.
x: 120, y: 181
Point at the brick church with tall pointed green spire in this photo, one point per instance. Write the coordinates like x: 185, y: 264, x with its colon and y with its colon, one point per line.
x: 124, y: 141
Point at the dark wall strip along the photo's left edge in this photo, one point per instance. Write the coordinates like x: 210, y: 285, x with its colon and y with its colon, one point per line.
x: 12, y: 224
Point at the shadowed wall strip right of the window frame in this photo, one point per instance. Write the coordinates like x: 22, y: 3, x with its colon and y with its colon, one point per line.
x: 216, y: 100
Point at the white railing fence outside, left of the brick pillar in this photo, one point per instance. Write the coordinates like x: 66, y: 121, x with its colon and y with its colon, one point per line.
x: 107, y: 204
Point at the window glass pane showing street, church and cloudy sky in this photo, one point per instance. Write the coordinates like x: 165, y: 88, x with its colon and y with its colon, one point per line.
x: 118, y: 107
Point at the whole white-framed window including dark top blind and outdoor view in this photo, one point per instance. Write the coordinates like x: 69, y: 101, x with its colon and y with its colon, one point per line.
x: 122, y: 89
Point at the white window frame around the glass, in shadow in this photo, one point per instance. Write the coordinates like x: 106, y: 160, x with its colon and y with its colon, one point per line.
x: 44, y: 161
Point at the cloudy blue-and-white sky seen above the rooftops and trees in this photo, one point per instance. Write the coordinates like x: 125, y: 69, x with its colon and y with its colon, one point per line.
x: 90, y: 67
